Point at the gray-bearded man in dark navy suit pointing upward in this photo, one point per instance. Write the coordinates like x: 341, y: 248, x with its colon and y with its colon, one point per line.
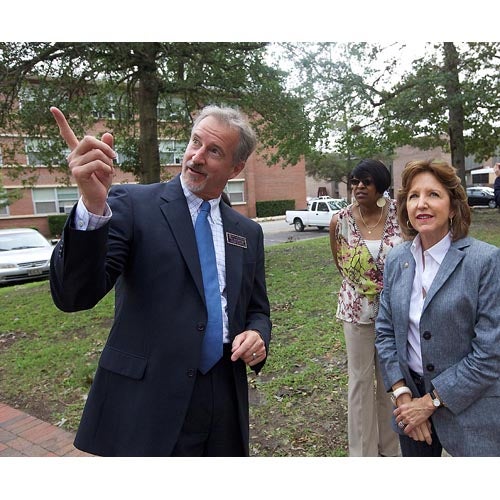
x: 149, y: 396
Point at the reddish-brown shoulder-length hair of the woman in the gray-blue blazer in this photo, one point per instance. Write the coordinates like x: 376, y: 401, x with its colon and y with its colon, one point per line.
x: 447, y: 176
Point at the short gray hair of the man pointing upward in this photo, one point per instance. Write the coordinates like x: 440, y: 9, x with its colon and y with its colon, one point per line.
x: 233, y: 118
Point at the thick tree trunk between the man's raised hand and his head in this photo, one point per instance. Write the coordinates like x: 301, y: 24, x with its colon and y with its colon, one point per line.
x: 149, y: 167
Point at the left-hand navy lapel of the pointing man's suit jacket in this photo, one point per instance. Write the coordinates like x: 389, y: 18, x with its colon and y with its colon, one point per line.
x: 176, y: 212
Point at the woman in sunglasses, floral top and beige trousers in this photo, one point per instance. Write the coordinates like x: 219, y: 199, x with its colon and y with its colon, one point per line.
x: 361, y: 235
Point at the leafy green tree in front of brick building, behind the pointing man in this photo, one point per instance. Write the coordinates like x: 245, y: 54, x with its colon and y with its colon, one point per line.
x: 145, y: 91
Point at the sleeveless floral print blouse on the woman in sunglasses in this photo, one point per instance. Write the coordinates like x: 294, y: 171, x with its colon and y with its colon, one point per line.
x: 362, y: 275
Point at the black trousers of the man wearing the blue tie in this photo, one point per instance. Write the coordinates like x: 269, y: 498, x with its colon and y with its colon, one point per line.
x: 211, y: 427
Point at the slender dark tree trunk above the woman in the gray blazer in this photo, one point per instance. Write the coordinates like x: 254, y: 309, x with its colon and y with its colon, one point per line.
x: 455, y: 109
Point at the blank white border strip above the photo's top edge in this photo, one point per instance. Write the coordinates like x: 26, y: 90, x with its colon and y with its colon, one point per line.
x: 265, y: 20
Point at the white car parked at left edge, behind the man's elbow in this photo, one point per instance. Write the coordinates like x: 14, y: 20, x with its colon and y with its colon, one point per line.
x: 24, y: 255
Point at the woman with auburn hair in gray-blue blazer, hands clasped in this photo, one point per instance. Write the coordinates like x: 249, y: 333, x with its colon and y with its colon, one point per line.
x: 438, y: 327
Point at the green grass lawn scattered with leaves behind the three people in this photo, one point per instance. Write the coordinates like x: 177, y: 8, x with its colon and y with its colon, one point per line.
x: 298, y: 403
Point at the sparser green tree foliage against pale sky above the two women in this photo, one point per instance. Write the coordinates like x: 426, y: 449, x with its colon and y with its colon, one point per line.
x: 368, y: 98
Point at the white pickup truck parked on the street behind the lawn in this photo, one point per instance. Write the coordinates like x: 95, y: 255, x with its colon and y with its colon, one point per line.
x: 318, y: 213
